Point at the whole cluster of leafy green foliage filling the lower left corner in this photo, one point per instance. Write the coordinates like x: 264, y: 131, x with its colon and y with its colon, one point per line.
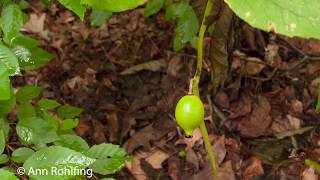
x: 48, y: 142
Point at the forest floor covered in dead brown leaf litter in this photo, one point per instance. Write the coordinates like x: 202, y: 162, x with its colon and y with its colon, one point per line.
x: 127, y: 78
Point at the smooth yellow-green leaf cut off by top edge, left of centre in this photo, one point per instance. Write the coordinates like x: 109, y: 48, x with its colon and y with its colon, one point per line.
x: 113, y: 5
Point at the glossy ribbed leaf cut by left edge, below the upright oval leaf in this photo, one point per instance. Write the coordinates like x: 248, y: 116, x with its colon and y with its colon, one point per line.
x: 9, y: 60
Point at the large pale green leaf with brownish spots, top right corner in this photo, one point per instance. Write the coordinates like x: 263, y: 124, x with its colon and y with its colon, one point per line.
x: 287, y: 17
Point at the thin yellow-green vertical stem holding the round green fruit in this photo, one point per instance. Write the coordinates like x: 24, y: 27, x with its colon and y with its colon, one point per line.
x: 195, y: 88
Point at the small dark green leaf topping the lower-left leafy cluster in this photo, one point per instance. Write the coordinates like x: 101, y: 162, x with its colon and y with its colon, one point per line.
x: 27, y: 93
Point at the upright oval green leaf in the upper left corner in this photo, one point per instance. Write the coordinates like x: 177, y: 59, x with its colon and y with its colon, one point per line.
x: 11, y: 21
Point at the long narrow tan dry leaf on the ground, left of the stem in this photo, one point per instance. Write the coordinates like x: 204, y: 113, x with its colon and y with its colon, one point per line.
x: 155, y: 65
